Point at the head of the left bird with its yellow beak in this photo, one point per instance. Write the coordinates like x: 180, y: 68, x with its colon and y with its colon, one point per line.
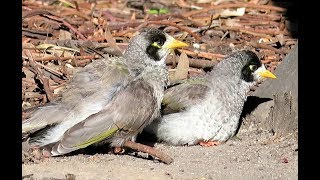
x: 153, y: 43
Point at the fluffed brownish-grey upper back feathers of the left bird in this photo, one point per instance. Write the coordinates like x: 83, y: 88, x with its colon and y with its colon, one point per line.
x: 100, y: 74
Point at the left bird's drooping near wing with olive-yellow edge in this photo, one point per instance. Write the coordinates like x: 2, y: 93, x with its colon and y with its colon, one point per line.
x: 126, y: 115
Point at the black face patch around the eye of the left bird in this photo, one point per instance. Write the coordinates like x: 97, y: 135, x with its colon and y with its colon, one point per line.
x: 156, y: 39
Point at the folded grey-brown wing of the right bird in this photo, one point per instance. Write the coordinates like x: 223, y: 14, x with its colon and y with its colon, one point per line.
x: 183, y: 95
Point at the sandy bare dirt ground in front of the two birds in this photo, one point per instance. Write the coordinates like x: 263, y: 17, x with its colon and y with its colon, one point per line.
x: 252, y: 154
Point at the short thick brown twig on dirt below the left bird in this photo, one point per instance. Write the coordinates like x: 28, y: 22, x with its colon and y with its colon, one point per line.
x: 147, y: 149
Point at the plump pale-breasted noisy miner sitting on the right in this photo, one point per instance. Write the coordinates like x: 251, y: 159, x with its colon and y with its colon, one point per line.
x: 206, y: 109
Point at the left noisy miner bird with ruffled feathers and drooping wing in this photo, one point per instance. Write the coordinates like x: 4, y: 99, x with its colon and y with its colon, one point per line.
x: 108, y: 101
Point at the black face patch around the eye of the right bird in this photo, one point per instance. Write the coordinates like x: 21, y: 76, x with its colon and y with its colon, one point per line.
x: 253, y: 63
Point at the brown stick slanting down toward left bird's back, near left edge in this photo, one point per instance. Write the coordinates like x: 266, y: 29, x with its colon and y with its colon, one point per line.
x: 45, y: 80
